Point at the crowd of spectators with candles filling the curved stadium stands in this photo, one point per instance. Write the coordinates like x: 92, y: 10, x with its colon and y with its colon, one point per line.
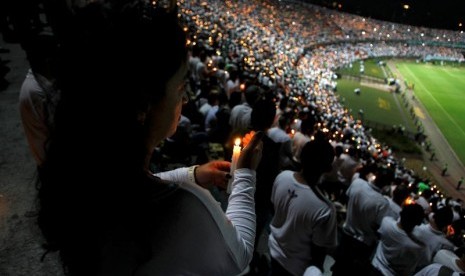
x: 270, y: 66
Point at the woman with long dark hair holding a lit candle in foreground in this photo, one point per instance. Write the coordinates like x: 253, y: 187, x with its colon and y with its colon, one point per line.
x: 122, y: 76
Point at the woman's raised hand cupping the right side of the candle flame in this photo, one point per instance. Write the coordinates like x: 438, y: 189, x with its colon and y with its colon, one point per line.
x: 252, y: 153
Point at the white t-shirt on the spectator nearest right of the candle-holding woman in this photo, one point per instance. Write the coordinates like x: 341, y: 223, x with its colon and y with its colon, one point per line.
x: 300, y: 219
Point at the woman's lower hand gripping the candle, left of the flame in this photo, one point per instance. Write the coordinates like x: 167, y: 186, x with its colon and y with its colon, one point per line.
x: 214, y: 173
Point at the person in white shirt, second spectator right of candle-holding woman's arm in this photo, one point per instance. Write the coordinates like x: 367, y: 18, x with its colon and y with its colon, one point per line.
x: 366, y: 209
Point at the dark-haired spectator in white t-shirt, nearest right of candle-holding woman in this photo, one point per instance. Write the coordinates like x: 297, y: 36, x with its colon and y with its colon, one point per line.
x: 304, y: 226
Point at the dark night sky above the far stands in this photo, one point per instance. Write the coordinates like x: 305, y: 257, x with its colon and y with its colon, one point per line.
x: 443, y: 14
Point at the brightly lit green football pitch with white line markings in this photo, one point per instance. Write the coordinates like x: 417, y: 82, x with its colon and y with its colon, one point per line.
x: 441, y: 89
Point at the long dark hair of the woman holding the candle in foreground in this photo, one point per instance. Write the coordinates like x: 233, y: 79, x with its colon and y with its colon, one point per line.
x: 114, y: 63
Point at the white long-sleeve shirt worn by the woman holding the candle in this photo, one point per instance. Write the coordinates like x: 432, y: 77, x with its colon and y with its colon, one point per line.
x: 205, y: 240
